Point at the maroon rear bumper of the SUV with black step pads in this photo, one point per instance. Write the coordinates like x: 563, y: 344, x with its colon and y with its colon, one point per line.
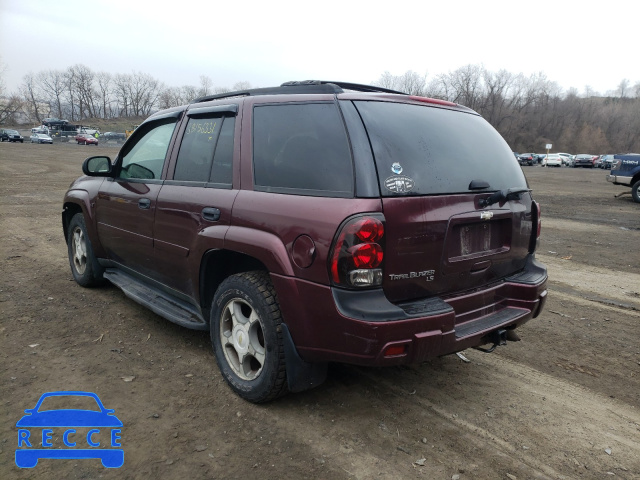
x: 328, y: 324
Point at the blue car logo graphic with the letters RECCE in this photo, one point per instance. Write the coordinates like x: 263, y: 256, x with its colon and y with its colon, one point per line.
x: 80, y: 433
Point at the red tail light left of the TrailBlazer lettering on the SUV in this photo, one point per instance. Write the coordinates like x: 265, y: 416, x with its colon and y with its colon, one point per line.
x: 357, y: 252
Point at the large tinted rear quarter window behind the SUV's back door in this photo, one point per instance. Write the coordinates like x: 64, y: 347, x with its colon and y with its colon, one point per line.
x: 301, y: 149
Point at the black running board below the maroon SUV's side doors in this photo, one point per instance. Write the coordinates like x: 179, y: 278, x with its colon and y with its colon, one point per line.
x: 159, y: 302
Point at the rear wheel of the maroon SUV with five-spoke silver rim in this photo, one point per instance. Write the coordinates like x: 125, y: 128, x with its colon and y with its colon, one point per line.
x: 246, y: 334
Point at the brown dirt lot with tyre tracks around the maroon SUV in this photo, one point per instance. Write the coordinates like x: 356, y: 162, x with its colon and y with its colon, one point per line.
x: 562, y: 403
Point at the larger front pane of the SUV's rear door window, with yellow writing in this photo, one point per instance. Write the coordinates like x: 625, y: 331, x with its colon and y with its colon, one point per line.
x: 196, y: 150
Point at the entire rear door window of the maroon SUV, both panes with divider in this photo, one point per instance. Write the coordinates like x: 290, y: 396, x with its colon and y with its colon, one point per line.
x: 206, y: 151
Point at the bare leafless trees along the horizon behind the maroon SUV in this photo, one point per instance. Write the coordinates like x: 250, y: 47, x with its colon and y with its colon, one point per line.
x: 529, y: 111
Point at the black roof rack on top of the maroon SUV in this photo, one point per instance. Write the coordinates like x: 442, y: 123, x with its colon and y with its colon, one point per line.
x: 301, y: 87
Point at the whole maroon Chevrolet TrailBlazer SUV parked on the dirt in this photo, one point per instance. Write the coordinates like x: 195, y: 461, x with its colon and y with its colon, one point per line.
x: 314, y: 222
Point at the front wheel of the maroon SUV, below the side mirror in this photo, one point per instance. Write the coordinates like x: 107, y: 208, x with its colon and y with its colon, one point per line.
x: 85, y: 268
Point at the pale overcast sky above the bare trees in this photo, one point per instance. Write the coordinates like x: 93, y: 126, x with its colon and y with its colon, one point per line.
x: 269, y: 42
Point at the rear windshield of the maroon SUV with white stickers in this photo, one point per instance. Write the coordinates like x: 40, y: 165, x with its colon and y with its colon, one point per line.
x: 422, y: 150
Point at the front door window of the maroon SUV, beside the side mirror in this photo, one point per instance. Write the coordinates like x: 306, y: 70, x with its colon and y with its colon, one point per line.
x: 145, y: 159
